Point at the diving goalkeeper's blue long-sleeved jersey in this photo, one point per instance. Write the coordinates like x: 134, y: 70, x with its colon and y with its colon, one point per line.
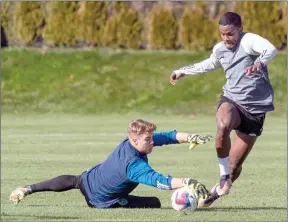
x: 106, y: 183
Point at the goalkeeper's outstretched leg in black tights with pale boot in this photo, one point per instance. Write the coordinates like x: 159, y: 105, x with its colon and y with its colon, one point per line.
x: 57, y: 184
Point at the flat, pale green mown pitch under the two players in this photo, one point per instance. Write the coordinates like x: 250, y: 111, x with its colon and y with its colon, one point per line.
x: 38, y: 147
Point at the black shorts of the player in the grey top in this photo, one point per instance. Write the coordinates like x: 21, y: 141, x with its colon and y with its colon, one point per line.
x: 251, y: 124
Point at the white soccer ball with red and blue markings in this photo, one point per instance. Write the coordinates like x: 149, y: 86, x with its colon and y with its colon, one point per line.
x: 182, y: 200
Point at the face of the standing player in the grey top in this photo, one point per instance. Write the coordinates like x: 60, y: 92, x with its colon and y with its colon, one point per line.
x: 230, y: 35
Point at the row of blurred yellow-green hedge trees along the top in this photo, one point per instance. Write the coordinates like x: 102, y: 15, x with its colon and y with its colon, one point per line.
x: 136, y: 25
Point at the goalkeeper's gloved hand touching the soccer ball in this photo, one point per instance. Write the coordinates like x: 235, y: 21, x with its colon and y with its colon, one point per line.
x: 196, y: 188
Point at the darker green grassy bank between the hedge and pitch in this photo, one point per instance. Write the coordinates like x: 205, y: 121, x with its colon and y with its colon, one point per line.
x: 119, y: 81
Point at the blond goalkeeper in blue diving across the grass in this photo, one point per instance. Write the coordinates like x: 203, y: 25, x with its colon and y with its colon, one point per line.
x: 108, y: 184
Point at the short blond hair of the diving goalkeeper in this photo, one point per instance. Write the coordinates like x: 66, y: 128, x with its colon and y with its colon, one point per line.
x: 139, y: 126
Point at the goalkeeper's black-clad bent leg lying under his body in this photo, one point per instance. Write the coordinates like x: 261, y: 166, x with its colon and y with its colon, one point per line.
x: 138, y: 202
